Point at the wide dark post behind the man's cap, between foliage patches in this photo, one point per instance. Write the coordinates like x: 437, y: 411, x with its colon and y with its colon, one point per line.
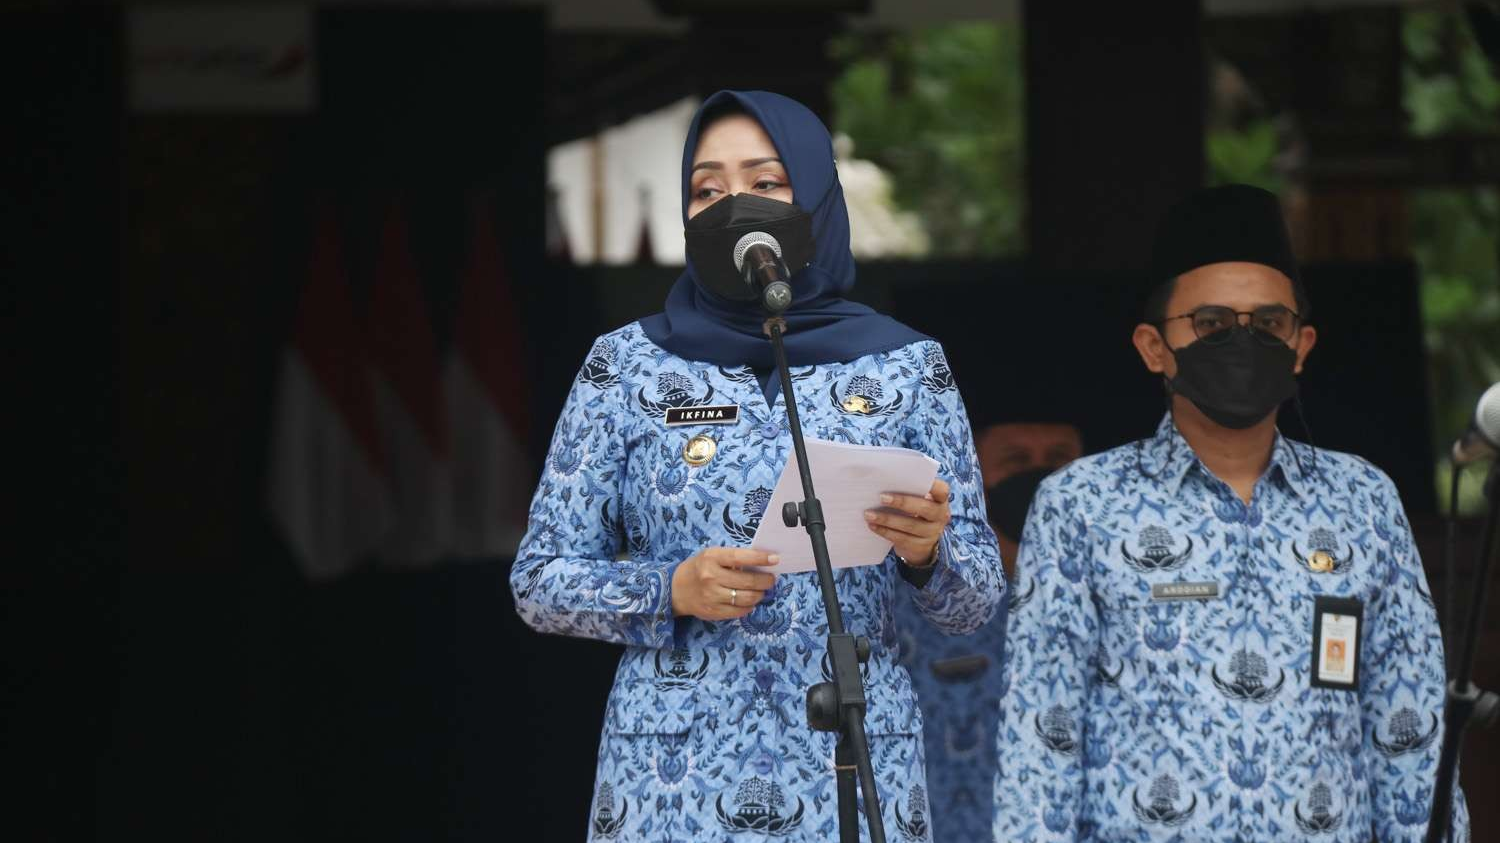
x: 1115, y: 103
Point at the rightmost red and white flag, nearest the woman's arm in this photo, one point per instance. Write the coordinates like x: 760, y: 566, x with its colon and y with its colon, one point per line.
x: 487, y: 388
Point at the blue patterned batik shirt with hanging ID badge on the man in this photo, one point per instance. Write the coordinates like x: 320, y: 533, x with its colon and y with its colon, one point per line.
x: 1132, y: 719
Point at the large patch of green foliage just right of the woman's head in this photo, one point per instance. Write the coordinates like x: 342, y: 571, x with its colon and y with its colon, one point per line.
x: 941, y: 109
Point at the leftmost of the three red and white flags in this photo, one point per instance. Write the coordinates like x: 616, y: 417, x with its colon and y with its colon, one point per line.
x: 328, y: 487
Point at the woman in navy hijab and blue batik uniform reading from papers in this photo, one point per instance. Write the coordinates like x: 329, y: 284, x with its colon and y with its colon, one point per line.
x: 638, y: 526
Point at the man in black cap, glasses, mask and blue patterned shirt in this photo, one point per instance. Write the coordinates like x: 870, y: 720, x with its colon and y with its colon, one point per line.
x: 1226, y: 635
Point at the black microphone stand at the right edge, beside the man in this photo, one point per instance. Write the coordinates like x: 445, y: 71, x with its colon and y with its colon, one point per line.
x: 1465, y: 701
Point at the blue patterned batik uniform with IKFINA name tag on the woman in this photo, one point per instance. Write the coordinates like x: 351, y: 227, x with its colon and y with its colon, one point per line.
x: 706, y: 734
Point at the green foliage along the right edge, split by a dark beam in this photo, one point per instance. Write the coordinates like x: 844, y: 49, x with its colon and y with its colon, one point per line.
x: 1450, y: 89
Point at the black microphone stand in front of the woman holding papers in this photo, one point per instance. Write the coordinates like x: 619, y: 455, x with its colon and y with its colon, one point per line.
x: 838, y: 706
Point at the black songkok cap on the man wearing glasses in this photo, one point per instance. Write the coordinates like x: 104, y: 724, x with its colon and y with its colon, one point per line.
x: 1235, y: 223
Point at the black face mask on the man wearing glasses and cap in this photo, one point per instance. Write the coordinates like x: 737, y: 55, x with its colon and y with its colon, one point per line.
x: 1238, y: 382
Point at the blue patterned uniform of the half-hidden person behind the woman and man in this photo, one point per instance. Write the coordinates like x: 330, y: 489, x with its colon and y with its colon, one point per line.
x: 959, y: 685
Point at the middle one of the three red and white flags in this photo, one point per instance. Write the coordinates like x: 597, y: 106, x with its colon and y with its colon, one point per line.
x: 409, y: 398
